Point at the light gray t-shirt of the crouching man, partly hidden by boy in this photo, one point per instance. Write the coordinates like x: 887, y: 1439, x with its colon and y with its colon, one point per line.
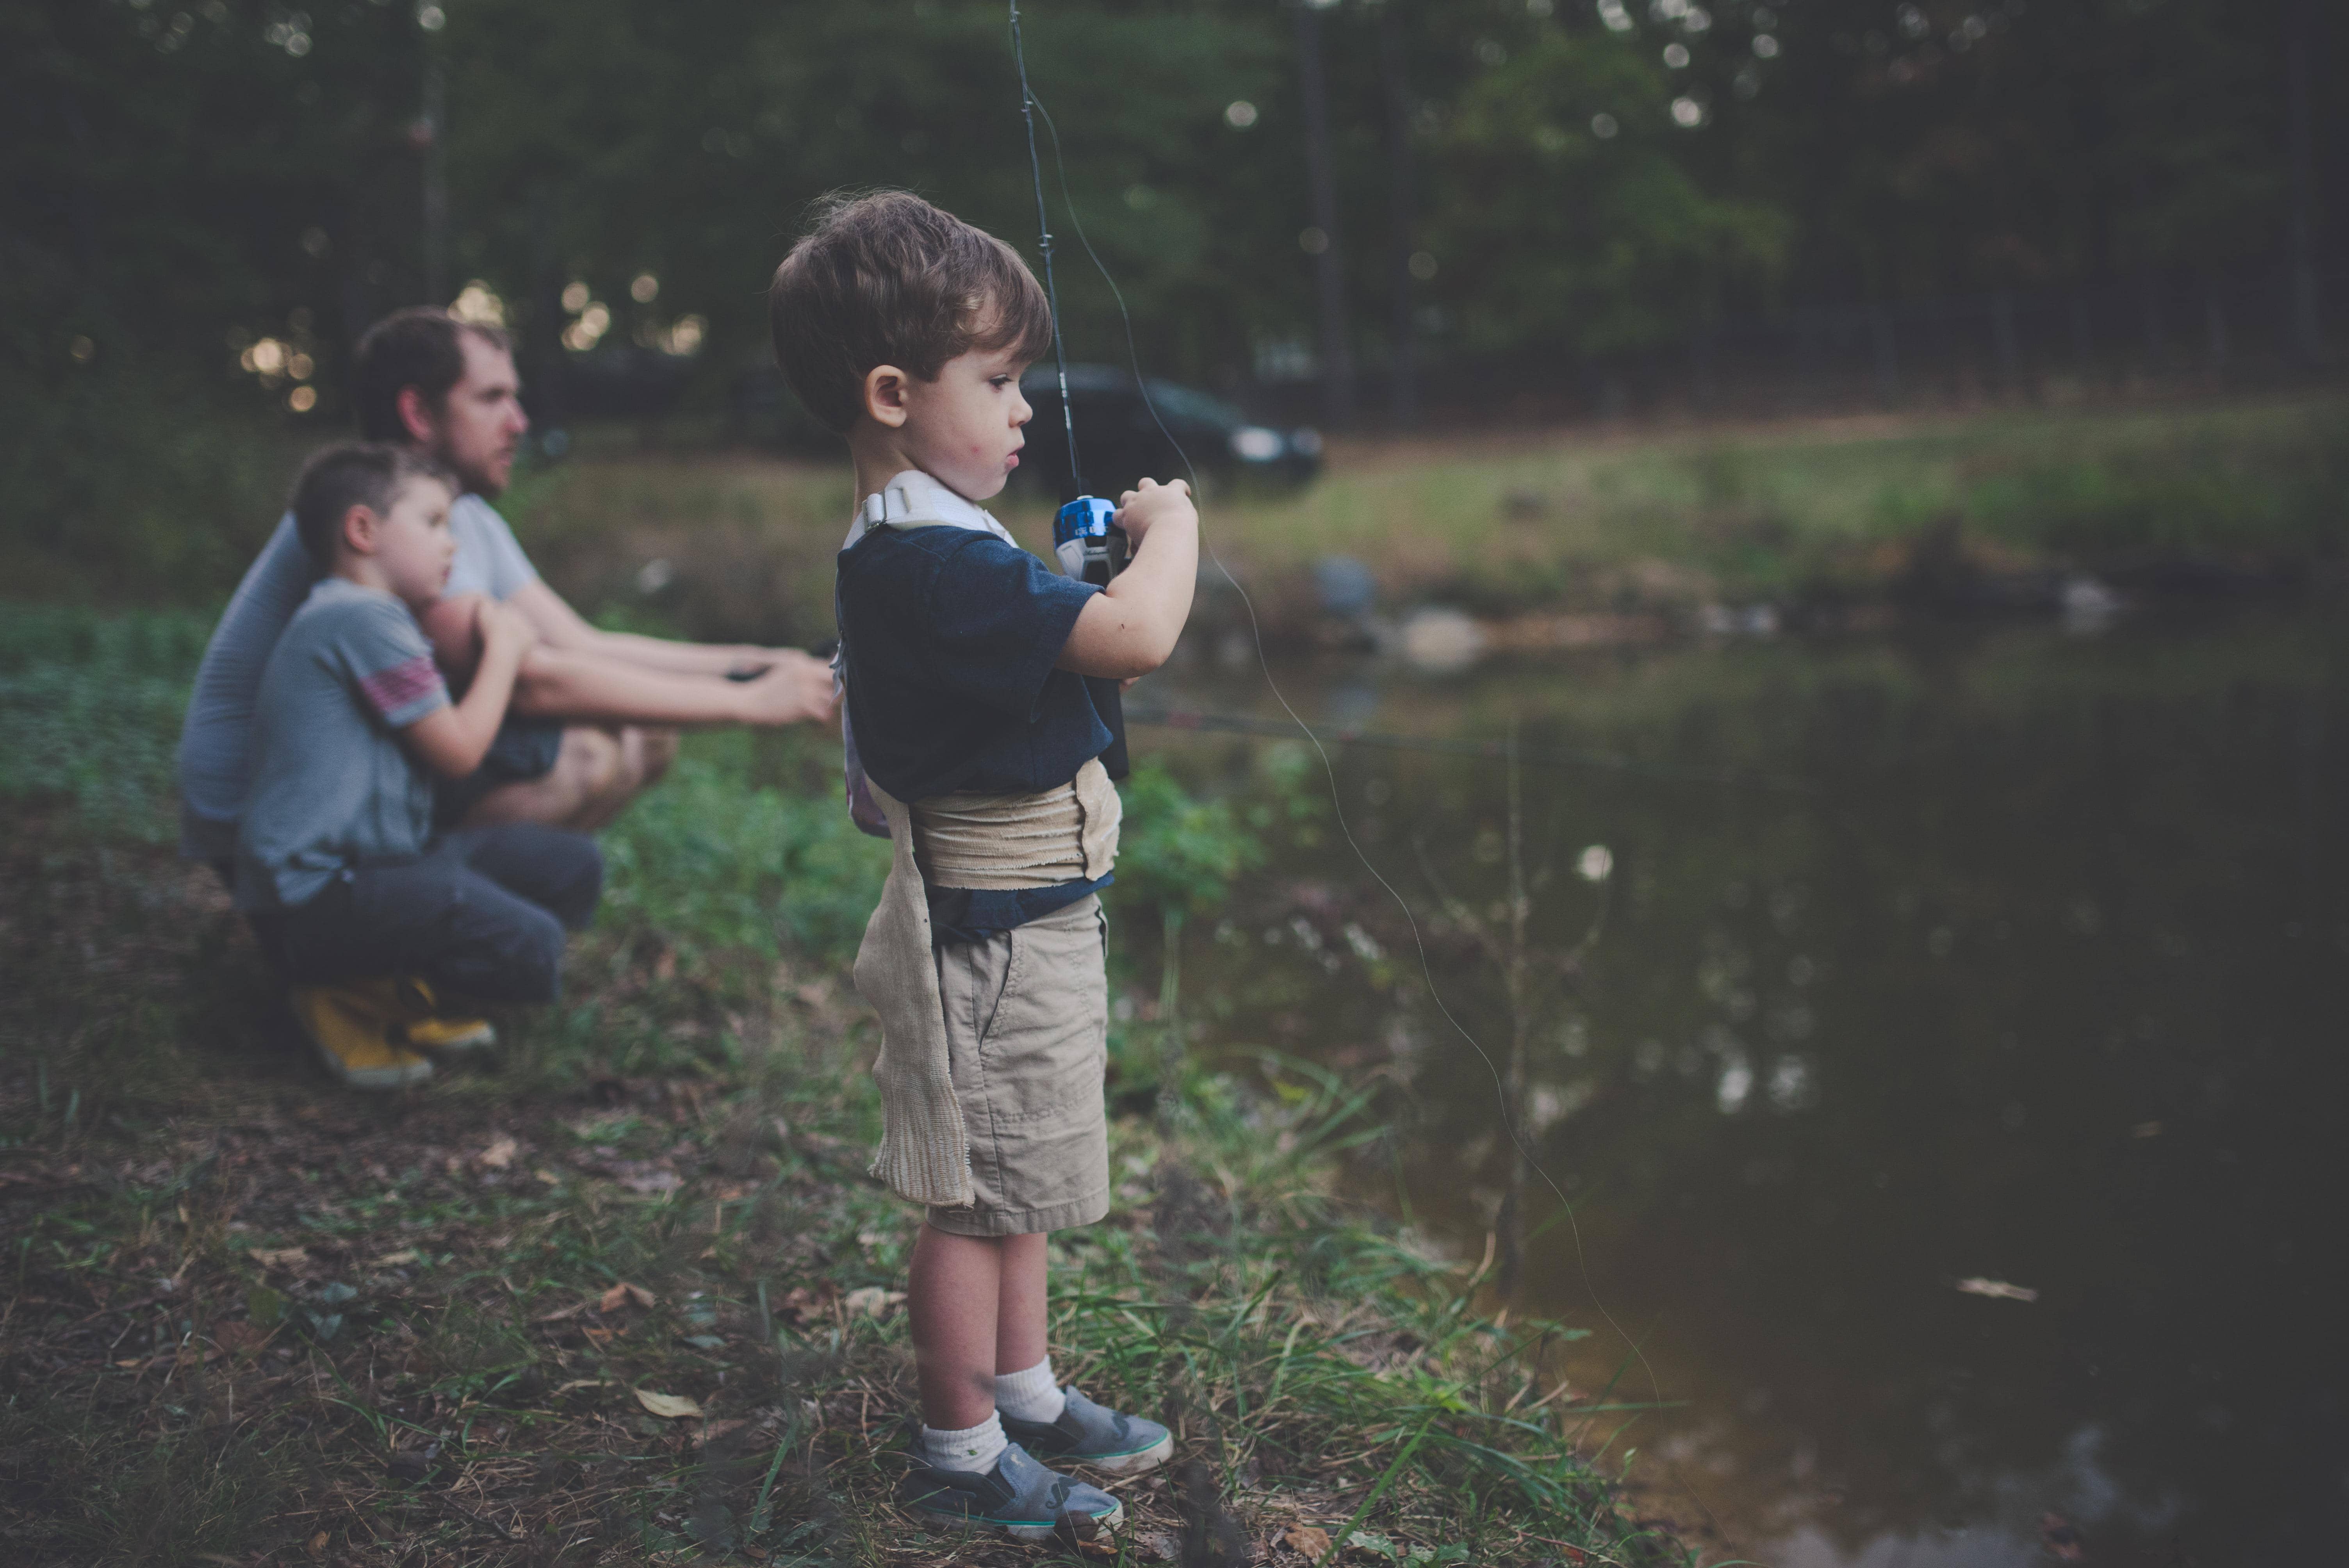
x: 215, y: 745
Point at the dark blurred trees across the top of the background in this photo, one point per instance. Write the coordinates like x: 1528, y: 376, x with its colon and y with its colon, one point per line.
x: 182, y: 182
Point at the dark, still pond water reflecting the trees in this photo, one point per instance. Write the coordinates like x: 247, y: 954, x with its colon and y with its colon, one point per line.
x: 2007, y: 957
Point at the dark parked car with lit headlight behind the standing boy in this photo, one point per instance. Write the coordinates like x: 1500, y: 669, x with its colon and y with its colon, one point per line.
x: 1119, y: 442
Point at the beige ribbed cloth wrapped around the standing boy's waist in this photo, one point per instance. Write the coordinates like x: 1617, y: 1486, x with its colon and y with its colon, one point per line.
x: 1065, y: 834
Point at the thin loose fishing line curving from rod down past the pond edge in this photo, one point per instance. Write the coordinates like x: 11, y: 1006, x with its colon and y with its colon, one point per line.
x: 1256, y: 626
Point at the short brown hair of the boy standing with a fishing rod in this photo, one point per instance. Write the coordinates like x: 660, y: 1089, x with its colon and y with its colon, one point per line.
x: 894, y: 281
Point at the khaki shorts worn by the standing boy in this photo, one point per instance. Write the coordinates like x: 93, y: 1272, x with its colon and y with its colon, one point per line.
x: 1028, y: 1041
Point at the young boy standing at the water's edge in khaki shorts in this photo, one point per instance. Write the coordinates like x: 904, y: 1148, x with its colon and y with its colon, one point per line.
x: 906, y: 330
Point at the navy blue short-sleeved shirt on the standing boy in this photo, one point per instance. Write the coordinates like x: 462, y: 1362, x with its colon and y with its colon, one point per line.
x: 953, y: 637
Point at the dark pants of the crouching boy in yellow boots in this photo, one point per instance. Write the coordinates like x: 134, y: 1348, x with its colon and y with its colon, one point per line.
x: 480, y: 917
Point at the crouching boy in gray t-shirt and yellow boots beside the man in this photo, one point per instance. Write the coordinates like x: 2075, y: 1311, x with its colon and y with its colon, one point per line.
x: 337, y: 863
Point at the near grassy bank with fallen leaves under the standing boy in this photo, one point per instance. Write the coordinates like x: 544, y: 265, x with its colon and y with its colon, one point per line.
x: 626, y: 1295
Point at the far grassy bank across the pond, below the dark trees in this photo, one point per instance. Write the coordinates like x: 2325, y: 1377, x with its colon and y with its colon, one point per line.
x: 1801, y: 513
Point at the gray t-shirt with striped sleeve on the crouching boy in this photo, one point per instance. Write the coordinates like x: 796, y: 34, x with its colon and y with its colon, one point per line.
x: 332, y: 785
